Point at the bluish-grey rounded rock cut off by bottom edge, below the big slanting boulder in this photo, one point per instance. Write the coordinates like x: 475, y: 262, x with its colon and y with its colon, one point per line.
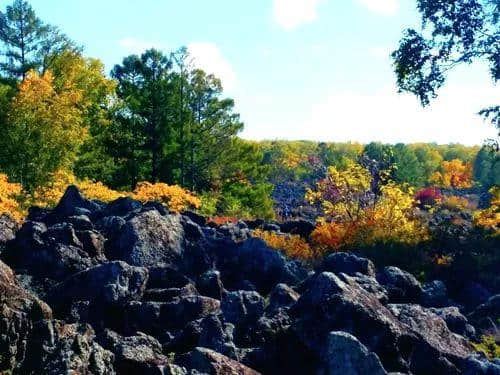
x: 345, y: 355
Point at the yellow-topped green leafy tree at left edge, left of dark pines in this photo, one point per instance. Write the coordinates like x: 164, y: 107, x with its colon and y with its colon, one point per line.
x: 43, y: 131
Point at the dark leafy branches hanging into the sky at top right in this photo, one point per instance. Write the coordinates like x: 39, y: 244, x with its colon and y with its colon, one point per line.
x: 454, y: 32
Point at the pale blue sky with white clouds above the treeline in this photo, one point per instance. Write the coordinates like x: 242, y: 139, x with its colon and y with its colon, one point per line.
x: 297, y: 69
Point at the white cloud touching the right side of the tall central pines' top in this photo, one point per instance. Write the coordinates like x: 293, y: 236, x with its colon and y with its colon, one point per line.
x: 208, y: 56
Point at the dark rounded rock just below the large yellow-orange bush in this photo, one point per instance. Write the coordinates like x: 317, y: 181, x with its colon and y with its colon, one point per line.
x: 349, y: 264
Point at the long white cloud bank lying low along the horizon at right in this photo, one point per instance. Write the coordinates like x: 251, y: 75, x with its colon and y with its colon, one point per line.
x: 386, y: 116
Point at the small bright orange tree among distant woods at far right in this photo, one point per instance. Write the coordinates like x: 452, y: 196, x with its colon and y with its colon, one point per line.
x: 455, y: 174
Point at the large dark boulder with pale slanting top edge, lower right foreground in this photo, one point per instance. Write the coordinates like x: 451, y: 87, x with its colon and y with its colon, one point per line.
x: 330, y: 304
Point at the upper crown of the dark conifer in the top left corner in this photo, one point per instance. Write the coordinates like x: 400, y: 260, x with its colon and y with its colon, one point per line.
x: 27, y: 42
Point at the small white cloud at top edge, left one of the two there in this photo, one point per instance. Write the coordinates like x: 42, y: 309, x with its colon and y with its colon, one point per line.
x: 290, y: 14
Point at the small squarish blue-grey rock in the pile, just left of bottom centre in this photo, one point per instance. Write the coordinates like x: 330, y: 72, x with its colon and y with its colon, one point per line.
x: 242, y: 307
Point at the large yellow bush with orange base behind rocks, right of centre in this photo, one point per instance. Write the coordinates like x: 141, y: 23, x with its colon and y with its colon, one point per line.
x: 356, y: 221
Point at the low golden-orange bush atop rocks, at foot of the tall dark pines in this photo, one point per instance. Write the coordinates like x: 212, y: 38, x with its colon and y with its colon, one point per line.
x: 174, y: 197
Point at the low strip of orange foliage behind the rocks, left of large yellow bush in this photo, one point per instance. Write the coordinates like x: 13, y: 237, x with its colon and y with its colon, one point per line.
x: 292, y: 245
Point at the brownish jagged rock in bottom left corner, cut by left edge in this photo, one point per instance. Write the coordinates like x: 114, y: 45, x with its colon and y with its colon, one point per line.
x: 18, y: 310
